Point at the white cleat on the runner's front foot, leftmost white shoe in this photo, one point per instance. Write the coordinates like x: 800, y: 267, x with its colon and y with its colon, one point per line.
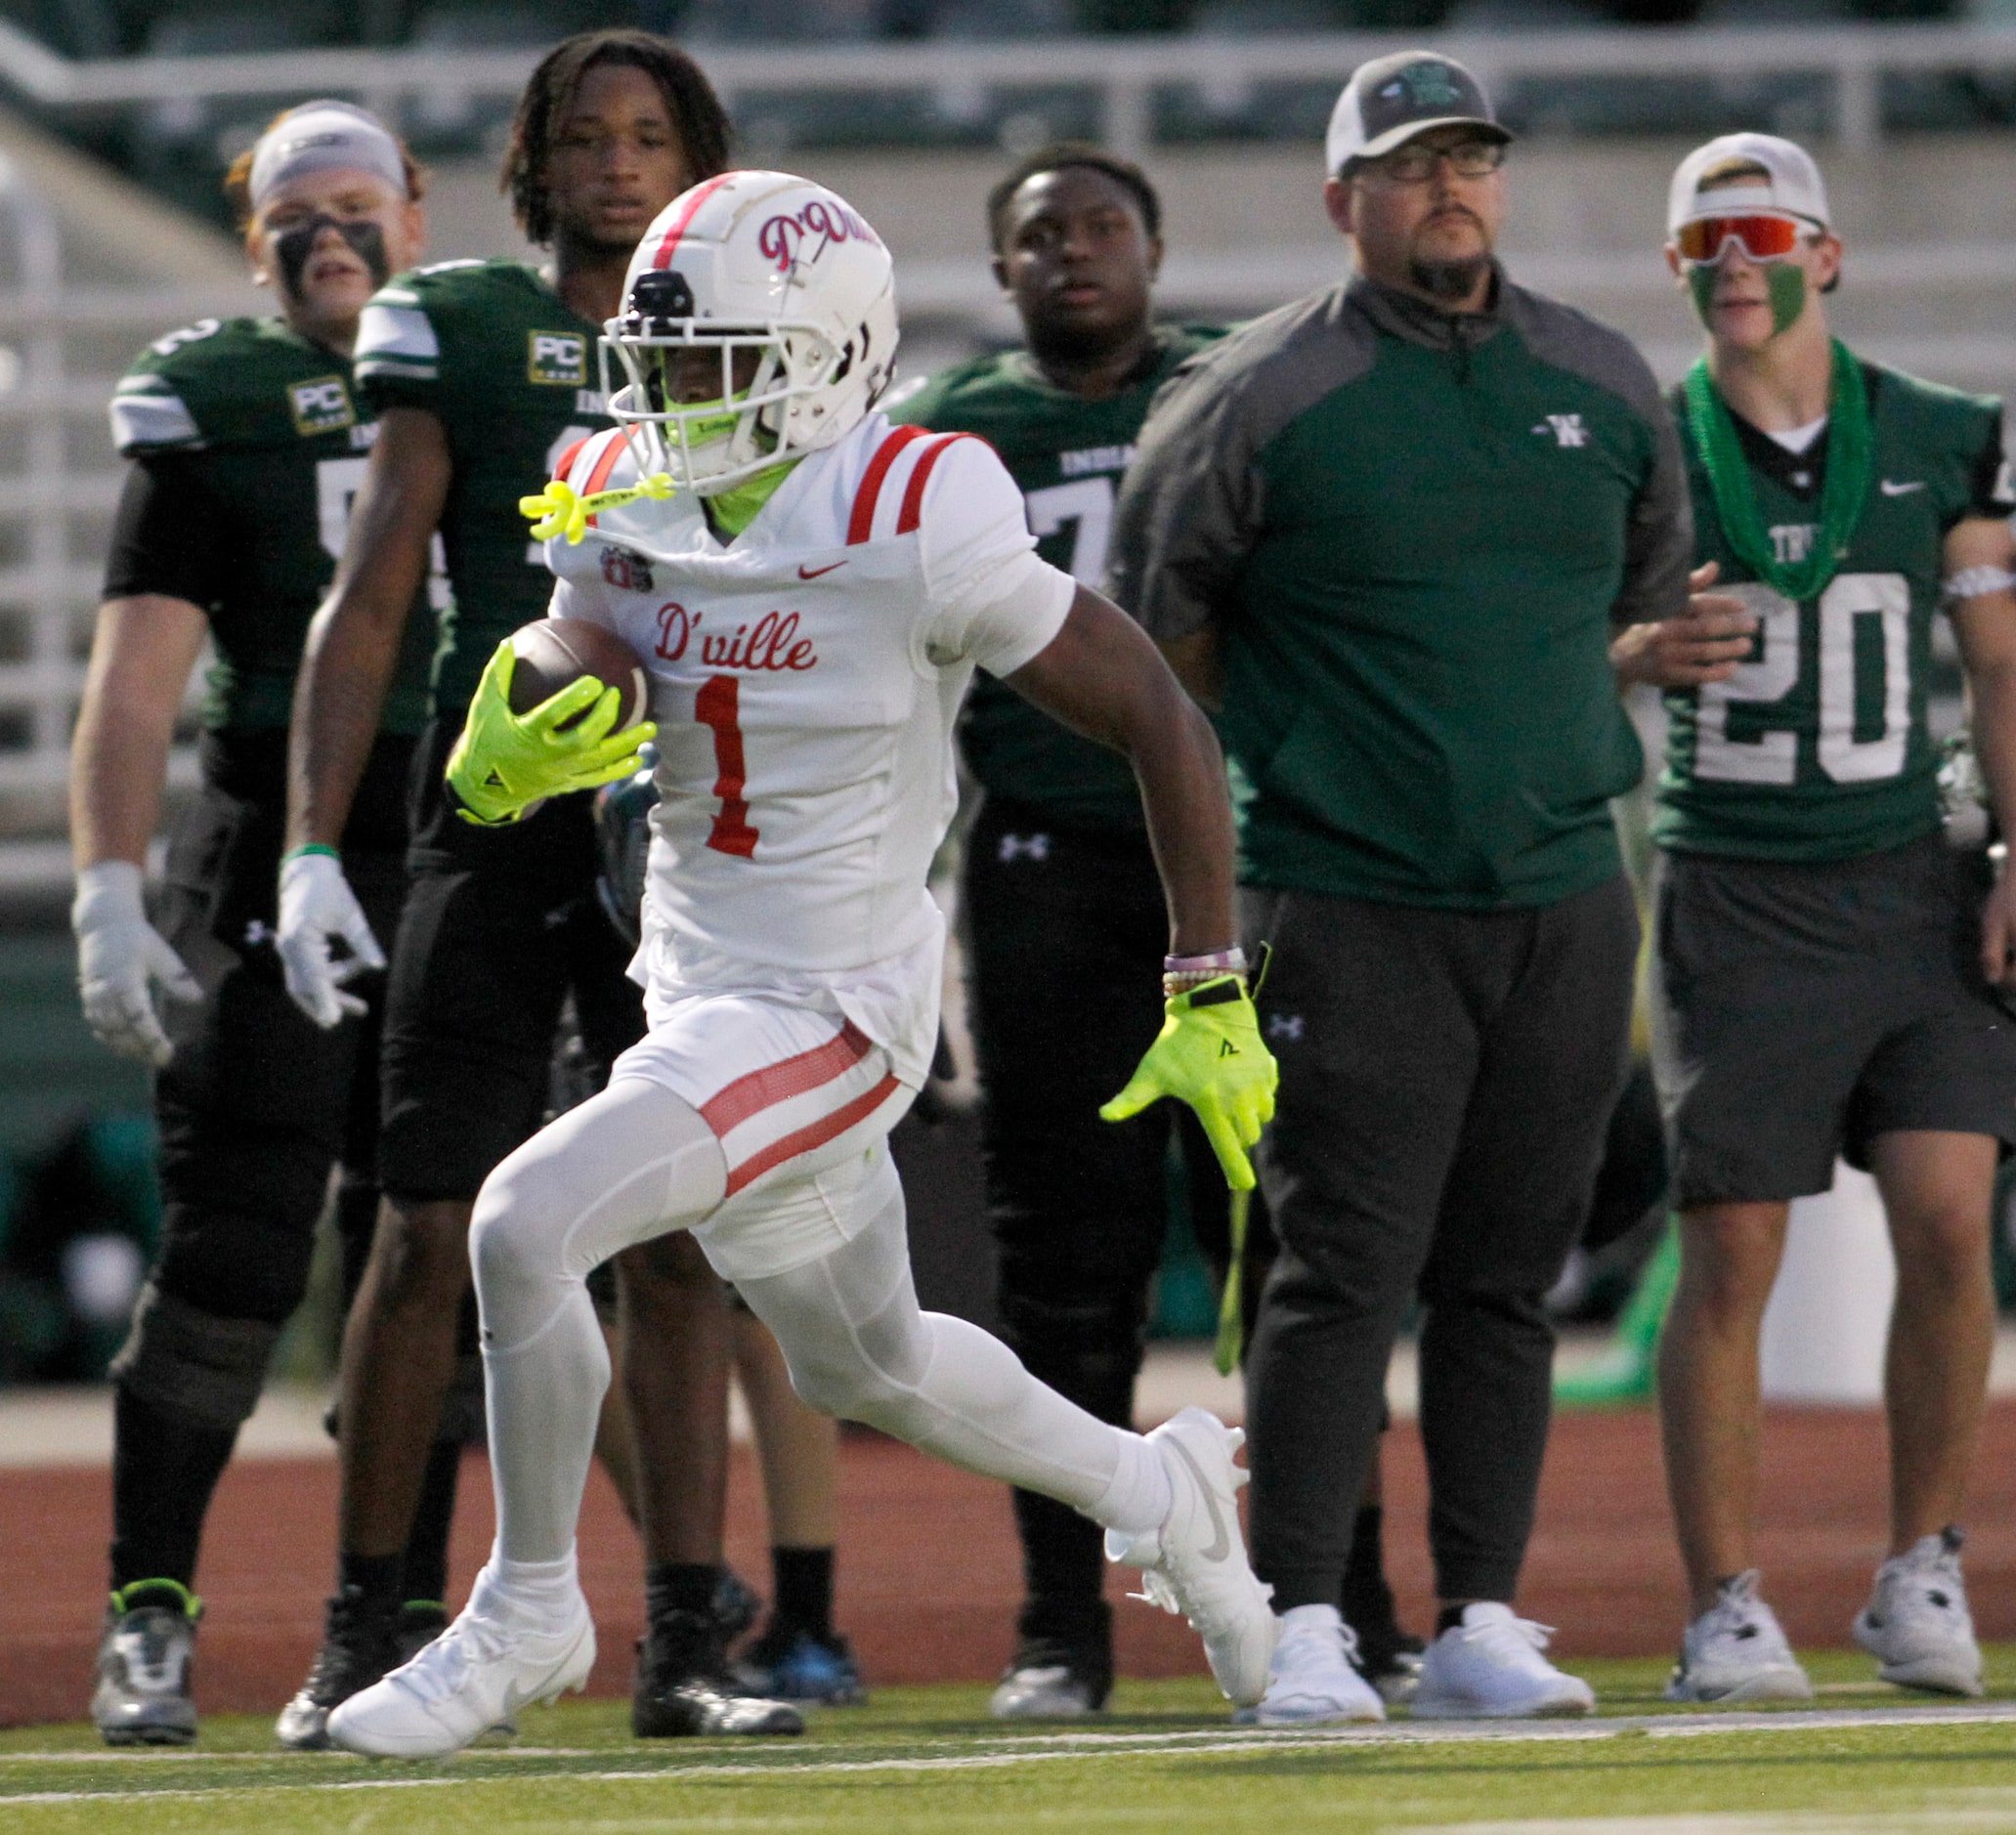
x: 475, y: 1677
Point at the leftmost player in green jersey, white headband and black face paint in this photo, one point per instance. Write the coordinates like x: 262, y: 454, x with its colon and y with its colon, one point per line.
x: 247, y: 441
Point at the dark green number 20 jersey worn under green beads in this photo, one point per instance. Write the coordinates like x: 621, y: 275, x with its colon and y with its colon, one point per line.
x: 1817, y: 749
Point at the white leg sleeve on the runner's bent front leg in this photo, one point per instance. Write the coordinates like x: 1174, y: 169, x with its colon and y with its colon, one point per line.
x: 622, y: 1169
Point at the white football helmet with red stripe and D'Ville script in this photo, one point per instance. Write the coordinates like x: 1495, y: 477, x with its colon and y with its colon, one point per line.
x: 767, y: 269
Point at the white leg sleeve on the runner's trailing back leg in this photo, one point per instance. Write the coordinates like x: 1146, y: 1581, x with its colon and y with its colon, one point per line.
x: 860, y: 1346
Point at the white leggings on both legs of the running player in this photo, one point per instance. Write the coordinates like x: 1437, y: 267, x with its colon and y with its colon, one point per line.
x: 636, y: 1163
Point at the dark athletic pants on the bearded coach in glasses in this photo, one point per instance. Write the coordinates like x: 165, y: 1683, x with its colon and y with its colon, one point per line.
x: 1446, y: 1082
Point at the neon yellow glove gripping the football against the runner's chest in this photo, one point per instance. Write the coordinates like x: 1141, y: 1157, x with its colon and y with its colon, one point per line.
x: 505, y: 761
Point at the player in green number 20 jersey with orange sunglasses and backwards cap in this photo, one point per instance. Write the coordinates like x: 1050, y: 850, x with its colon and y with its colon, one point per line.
x: 1828, y: 969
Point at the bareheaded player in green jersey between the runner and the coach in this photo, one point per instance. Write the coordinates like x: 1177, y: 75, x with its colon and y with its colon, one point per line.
x: 1059, y: 896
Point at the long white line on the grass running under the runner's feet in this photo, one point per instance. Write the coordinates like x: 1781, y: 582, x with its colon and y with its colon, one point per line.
x: 1088, y: 1745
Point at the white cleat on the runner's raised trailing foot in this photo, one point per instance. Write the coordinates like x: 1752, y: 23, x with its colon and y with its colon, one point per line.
x: 1196, y: 1562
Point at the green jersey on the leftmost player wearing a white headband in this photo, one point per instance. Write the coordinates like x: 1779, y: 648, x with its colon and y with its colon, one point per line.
x: 255, y: 445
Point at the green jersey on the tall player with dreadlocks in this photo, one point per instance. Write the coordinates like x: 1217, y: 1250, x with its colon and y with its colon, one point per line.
x: 509, y: 370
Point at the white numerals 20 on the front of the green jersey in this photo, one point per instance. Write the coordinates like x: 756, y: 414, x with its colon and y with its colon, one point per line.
x: 1844, y: 612
